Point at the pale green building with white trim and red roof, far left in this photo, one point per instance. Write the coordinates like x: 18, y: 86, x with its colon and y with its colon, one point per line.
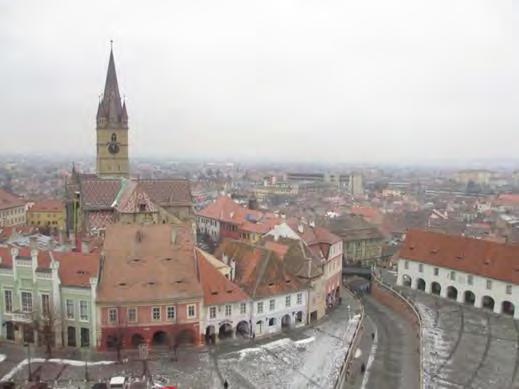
x: 45, y: 288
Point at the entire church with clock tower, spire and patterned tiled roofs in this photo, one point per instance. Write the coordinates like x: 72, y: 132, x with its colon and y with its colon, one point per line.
x: 94, y: 201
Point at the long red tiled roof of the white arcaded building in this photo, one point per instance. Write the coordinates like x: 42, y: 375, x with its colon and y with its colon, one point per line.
x: 474, y: 256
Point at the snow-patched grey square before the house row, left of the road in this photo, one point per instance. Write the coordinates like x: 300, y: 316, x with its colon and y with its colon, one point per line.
x: 309, y: 357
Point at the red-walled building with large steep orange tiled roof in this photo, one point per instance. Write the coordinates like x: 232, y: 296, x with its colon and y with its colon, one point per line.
x: 148, y: 289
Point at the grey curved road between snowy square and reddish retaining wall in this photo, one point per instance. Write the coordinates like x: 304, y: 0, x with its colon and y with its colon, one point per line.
x: 395, y: 362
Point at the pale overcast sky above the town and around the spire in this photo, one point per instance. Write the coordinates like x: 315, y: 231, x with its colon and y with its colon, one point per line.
x: 351, y: 81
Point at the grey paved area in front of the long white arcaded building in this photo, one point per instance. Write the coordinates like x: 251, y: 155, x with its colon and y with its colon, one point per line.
x: 466, y: 347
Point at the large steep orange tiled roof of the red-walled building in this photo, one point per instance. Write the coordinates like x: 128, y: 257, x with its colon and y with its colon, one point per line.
x: 153, y: 262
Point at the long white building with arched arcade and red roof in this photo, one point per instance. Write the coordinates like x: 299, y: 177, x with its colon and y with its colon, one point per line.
x: 470, y: 271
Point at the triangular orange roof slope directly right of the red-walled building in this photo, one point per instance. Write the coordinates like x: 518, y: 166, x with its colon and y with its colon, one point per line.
x: 217, y: 288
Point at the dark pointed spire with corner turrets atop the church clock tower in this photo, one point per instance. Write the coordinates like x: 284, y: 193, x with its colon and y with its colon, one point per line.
x: 110, y: 110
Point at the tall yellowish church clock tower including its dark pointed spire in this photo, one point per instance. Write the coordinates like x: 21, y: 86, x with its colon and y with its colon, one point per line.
x: 112, y: 129
